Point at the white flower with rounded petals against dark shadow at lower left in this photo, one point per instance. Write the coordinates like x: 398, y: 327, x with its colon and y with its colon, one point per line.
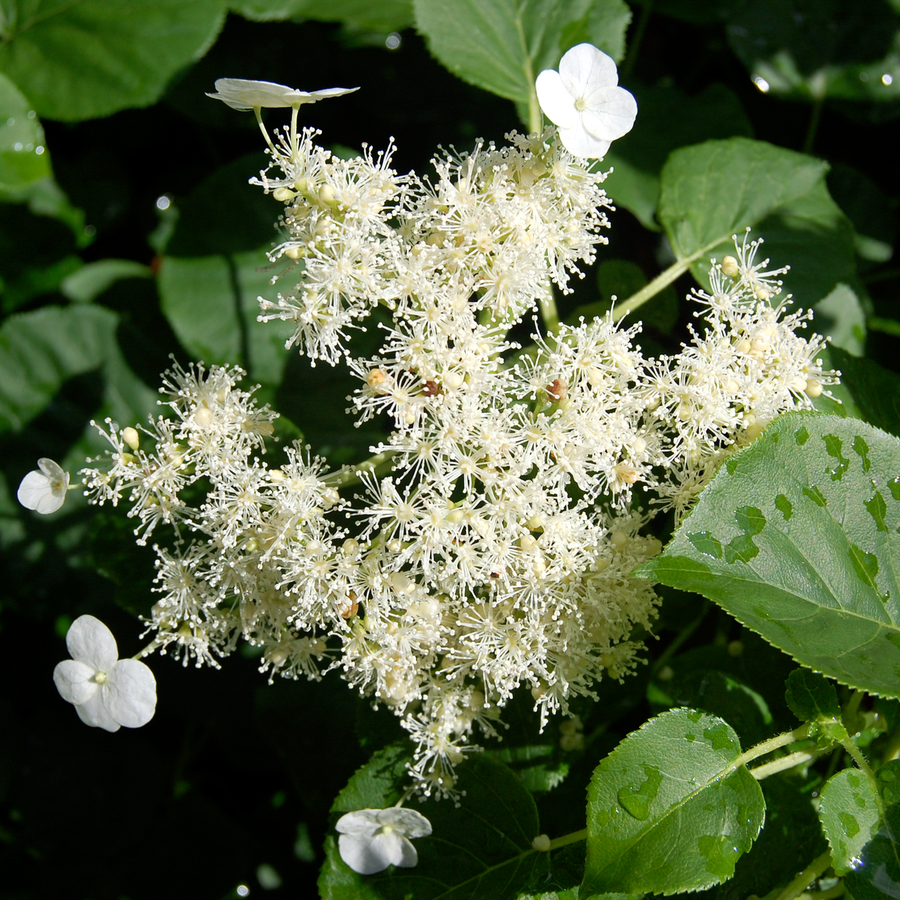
x: 107, y: 691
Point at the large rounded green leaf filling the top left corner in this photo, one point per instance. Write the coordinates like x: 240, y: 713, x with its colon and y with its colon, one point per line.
x: 89, y: 58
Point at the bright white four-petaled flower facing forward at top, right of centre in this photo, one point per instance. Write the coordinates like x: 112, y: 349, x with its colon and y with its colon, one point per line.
x: 584, y: 101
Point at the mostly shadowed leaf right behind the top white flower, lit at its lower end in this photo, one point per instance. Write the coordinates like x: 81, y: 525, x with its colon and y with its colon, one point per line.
x: 667, y: 119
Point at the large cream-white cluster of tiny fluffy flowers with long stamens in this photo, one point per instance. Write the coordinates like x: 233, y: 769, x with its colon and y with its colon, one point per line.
x: 496, y: 555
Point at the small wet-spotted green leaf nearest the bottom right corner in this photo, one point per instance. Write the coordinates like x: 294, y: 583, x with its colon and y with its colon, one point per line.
x: 848, y: 810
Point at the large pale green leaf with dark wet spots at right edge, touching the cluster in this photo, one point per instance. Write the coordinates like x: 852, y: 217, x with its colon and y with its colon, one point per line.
x: 807, y: 521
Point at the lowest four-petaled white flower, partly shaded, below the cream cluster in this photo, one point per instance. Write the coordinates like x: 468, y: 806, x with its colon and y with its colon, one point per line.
x: 373, y: 839
